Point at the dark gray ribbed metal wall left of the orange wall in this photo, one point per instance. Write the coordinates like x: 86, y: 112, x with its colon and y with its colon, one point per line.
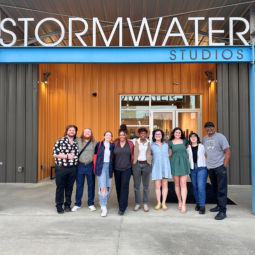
x: 18, y: 123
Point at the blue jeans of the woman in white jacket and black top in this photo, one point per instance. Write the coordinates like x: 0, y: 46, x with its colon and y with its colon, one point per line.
x: 198, y: 177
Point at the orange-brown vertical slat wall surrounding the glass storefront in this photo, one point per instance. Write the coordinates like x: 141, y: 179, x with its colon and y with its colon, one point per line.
x: 67, y: 97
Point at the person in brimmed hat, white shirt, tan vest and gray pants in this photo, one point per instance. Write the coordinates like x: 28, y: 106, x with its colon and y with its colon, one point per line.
x: 142, y: 166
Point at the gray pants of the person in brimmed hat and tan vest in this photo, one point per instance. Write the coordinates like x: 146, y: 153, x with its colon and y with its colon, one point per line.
x: 141, y: 172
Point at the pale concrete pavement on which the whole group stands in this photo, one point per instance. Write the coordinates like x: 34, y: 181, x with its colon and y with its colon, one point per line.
x: 30, y: 225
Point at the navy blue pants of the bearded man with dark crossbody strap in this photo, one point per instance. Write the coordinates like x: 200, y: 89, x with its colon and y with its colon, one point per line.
x: 85, y: 170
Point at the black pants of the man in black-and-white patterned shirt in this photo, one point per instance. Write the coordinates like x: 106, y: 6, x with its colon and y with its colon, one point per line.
x: 65, y: 178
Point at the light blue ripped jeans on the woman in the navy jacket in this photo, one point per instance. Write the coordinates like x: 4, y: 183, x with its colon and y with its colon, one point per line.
x: 104, y: 181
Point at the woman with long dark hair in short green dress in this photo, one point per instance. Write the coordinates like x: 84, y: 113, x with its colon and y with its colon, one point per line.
x: 179, y: 166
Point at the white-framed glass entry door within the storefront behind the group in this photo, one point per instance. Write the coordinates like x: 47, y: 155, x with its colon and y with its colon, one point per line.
x: 164, y: 120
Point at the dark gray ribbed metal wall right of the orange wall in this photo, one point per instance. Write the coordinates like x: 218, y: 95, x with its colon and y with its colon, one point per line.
x: 234, y: 118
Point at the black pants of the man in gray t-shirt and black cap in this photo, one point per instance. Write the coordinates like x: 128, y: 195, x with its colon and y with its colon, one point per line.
x: 219, y: 181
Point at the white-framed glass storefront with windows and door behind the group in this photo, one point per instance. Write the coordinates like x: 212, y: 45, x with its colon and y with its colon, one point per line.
x: 162, y: 112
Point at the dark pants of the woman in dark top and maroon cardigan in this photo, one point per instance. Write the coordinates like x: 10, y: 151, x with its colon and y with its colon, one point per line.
x: 122, y: 179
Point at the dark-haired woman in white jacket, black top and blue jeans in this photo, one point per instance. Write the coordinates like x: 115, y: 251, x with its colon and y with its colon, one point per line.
x: 198, y: 173
